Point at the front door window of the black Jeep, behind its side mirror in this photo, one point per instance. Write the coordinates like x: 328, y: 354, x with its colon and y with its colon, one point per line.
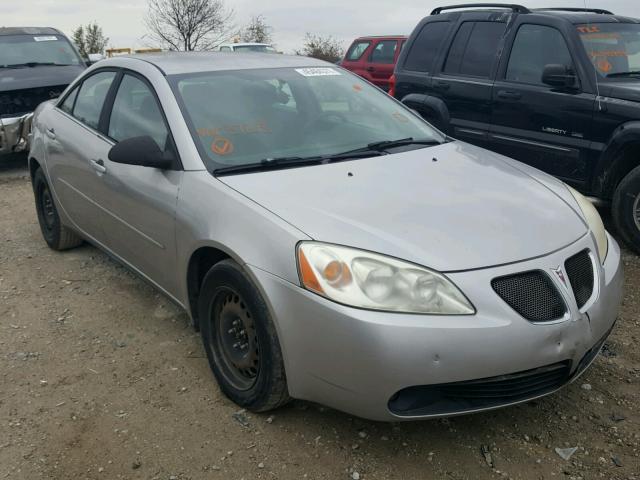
x: 535, y: 47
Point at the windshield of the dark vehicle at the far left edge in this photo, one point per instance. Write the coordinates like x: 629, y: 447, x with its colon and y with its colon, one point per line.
x: 30, y: 49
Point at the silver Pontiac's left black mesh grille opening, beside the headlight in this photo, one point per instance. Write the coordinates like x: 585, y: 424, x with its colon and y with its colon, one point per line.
x: 532, y: 294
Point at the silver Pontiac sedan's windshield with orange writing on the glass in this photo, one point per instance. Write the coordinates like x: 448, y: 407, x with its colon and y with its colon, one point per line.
x: 246, y: 116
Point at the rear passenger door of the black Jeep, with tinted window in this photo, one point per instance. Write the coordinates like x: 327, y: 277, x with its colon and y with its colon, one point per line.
x: 465, y: 78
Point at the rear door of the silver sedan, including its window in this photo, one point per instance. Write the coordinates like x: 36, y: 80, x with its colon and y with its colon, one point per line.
x: 73, y: 146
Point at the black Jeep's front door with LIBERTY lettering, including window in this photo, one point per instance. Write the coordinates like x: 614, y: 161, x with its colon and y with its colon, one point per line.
x: 544, y: 126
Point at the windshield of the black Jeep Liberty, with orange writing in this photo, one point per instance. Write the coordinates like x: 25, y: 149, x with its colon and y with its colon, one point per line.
x: 614, y: 48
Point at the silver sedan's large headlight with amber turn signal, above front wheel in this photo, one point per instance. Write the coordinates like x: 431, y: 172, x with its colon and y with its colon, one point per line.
x: 377, y: 282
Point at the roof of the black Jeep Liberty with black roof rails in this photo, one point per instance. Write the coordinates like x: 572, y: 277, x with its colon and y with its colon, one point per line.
x: 572, y: 15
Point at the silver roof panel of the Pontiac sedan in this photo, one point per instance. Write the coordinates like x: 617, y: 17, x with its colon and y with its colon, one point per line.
x: 175, y: 63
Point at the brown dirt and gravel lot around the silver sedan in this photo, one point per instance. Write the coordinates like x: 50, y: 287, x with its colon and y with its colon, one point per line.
x: 102, y: 378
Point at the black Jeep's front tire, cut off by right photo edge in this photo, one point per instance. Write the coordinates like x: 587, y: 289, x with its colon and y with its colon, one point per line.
x: 626, y: 209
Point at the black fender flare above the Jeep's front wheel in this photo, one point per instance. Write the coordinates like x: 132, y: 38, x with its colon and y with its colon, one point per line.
x: 612, y: 166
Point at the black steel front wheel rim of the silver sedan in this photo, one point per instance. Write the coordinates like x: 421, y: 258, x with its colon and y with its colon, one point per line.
x: 235, y: 343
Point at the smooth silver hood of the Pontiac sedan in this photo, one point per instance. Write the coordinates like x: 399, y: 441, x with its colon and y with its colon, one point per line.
x: 451, y: 207
